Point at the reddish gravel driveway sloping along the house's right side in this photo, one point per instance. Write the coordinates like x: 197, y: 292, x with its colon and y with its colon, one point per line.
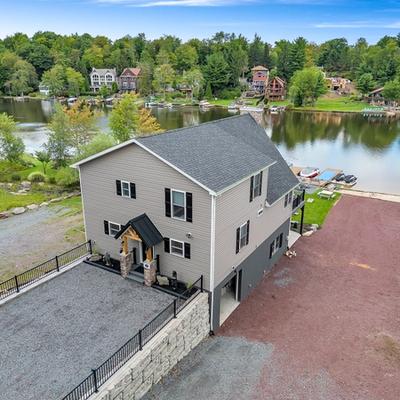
x: 322, y: 326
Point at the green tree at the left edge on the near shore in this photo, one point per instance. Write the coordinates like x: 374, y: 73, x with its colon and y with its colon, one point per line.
x: 11, y: 146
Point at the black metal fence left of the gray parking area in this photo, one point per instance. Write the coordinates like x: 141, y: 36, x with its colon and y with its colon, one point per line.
x: 18, y: 282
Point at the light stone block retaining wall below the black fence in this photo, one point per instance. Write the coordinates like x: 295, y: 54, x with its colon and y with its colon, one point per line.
x: 159, y: 355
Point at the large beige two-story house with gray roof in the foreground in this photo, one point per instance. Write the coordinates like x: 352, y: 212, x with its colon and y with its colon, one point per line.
x: 212, y: 200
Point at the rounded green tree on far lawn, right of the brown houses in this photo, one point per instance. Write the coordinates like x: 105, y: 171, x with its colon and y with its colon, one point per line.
x: 307, y: 85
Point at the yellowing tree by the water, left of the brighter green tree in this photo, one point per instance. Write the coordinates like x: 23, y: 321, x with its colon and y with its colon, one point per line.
x: 82, y: 124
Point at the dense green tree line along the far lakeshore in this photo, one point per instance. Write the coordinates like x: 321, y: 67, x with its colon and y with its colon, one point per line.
x: 216, y: 66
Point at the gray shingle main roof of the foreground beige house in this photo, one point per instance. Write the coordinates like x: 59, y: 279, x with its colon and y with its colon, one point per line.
x: 220, y: 153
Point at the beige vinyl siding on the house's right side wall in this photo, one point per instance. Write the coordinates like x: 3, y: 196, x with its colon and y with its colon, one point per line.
x: 233, y: 208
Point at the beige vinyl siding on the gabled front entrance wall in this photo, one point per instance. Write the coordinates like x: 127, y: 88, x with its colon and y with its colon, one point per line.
x: 151, y: 176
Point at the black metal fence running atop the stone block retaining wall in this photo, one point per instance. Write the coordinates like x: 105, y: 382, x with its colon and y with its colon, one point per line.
x: 101, y: 374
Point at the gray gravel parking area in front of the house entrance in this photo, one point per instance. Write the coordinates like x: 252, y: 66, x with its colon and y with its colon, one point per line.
x: 52, y: 335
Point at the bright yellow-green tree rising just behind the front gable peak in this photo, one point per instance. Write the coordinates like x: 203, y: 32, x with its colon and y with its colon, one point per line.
x: 124, y: 118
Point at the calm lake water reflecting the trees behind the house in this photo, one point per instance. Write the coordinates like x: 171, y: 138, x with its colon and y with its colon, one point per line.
x: 367, y: 148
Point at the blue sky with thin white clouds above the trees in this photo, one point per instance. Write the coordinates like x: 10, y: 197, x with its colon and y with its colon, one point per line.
x: 316, y: 20
